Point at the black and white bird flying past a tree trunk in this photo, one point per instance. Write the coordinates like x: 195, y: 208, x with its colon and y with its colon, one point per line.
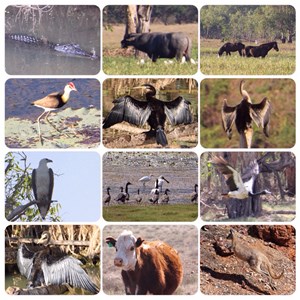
x: 240, y: 187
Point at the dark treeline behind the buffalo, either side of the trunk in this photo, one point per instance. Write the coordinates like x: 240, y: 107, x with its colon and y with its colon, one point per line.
x: 166, y: 14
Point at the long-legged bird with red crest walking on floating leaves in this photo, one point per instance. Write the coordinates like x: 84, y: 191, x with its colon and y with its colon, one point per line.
x: 52, y: 102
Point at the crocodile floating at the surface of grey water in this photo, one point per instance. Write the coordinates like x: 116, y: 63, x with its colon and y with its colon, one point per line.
x: 68, y: 48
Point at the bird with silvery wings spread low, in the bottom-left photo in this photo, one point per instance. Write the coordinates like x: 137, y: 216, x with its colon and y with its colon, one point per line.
x: 46, y: 265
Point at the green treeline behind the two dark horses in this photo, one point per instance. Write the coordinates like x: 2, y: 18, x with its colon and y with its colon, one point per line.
x: 247, y: 22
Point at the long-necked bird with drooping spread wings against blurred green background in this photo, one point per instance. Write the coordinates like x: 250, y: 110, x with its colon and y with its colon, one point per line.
x: 243, y: 114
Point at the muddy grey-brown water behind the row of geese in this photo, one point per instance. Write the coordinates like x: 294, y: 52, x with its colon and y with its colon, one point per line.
x: 180, y: 169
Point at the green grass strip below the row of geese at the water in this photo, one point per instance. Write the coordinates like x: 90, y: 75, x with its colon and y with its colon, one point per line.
x: 151, y: 213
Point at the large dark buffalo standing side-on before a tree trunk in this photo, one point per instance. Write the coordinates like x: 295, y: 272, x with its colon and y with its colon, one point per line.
x: 160, y: 45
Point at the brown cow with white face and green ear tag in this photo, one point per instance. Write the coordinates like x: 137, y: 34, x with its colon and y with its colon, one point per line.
x: 147, y: 267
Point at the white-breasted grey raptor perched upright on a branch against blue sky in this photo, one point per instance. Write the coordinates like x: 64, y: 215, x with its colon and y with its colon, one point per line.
x: 42, y: 182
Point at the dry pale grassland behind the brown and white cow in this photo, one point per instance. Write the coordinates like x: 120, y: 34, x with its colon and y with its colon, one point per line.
x: 183, y: 238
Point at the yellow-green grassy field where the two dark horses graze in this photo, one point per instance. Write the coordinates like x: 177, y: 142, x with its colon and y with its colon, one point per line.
x: 275, y: 63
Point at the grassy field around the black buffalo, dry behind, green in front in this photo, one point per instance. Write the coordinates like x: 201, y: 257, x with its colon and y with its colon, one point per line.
x: 117, y: 62
